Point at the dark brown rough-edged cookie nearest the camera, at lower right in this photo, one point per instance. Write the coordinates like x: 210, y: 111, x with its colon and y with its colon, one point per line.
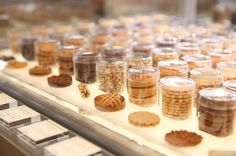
x: 183, y: 138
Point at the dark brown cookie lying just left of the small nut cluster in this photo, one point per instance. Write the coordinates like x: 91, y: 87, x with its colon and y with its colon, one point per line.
x: 62, y: 80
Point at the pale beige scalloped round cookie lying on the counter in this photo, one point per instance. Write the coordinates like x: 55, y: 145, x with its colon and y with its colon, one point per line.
x: 144, y: 119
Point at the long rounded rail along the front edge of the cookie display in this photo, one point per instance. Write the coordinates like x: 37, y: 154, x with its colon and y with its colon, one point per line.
x: 71, y: 117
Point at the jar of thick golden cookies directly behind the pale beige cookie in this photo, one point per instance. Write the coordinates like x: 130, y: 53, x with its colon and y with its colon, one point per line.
x: 142, y: 85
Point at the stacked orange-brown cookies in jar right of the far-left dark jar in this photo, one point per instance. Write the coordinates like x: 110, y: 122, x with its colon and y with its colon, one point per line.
x: 46, y: 52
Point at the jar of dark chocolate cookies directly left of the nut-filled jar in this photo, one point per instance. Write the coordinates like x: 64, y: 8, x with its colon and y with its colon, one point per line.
x: 85, y: 66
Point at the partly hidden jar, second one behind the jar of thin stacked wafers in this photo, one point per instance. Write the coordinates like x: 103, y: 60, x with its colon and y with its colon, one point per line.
x: 164, y: 53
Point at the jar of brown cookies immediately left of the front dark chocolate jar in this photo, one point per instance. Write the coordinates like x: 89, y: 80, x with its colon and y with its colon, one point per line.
x: 65, y: 59
